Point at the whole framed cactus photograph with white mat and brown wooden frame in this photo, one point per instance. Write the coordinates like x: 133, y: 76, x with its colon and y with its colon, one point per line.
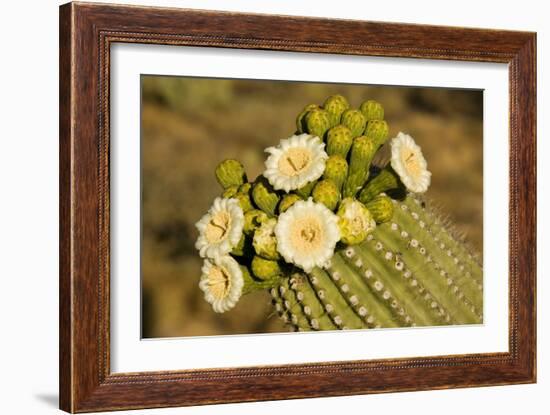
x: 258, y: 207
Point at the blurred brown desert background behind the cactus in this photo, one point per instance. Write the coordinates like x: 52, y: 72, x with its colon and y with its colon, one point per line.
x: 189, y: 125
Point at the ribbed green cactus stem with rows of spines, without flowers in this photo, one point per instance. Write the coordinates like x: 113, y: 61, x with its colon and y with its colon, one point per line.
x: 409, y: 272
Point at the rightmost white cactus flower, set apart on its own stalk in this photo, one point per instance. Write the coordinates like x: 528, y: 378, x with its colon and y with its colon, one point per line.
x: 409, y: 163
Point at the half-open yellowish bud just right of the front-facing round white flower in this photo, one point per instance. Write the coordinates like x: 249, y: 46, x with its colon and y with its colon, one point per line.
x: 355, y: 221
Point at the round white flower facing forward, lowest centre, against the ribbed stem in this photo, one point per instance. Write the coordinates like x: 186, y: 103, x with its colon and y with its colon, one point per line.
x: 307, y: 234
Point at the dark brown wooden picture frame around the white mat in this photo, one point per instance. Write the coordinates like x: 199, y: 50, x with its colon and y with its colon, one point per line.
x: 86, y: 33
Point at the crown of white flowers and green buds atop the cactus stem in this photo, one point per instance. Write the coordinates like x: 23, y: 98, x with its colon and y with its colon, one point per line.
x: 318, y: 191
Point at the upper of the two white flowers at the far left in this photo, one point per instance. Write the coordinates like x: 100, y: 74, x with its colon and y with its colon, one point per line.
x: 220, y: 230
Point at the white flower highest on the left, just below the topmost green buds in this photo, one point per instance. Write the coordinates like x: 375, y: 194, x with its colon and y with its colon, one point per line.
x: 295, y: 162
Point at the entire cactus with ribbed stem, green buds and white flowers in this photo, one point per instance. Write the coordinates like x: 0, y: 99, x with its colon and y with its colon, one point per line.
x: 338, y: 232
